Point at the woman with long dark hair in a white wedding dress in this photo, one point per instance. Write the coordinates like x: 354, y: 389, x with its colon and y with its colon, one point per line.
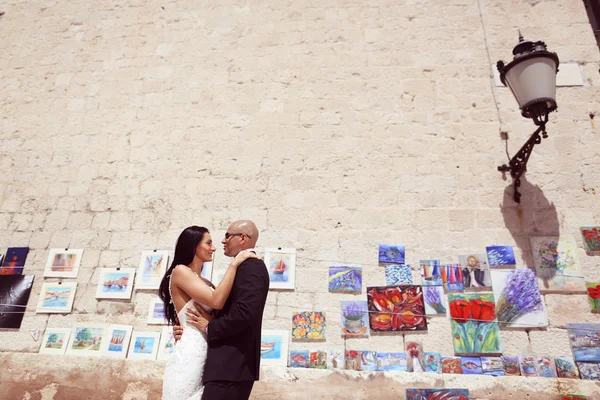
x: 179, y: 288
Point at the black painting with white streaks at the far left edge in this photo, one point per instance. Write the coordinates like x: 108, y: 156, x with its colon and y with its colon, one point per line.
x: 14, y: 295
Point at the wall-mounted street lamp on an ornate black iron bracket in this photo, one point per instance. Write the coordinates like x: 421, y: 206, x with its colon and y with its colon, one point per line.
x: 531, y: 76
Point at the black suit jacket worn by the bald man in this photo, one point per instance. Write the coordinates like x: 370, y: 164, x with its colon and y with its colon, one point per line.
x: 234, y: 335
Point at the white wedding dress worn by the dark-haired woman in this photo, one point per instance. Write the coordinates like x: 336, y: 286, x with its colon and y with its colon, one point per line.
x: 183, y: 374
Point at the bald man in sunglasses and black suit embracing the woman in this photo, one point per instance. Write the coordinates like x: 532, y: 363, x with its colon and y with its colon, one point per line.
x: 233, y: 358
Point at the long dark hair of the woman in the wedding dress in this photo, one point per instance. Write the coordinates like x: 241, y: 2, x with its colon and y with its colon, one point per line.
x: 185, y: 250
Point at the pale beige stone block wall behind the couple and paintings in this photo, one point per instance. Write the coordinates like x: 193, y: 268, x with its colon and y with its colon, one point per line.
x: 335, y: 125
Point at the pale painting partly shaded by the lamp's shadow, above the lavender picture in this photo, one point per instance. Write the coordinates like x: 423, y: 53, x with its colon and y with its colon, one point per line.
x: 556, y: 262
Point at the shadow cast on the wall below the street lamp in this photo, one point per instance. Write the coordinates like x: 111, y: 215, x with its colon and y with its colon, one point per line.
x: 535, y: 215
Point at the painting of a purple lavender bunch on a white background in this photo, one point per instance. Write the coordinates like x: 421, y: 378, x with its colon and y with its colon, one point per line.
x: 518, y: 299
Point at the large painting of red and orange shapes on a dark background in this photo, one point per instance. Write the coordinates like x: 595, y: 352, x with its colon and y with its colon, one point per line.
x: 396, y: 308
